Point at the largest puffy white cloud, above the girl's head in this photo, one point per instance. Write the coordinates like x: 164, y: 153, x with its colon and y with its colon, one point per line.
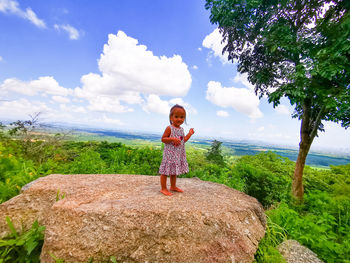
x: 131, y: 66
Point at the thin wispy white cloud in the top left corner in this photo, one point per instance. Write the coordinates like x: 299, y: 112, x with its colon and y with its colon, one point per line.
x: 12, y: 7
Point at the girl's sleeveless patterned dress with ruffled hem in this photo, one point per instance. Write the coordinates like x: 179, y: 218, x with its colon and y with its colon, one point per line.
x: 174, y: 157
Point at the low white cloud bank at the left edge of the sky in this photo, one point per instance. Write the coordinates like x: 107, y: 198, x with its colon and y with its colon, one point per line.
x: 43, y: 85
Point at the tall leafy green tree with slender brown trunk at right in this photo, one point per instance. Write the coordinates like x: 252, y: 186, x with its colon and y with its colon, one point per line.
x: 294, y: 49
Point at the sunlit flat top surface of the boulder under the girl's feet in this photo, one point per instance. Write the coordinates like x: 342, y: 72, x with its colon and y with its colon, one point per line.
x: 141, y: 192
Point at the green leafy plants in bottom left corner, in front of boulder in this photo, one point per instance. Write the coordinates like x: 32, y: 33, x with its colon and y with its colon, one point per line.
x: 22, y: 247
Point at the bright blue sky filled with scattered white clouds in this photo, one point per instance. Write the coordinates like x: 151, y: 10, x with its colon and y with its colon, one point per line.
x: 122, y: 64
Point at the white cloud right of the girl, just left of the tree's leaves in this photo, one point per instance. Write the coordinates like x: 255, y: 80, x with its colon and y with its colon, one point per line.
x: 241, y: 99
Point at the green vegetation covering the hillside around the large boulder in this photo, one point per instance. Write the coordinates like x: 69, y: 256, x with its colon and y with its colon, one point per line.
x: 321, y: 223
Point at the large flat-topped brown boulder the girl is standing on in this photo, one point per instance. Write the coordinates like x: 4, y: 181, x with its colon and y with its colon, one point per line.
x: 127, y: 217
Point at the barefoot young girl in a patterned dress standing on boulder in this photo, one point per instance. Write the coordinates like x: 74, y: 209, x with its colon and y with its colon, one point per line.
x: 174, y: 156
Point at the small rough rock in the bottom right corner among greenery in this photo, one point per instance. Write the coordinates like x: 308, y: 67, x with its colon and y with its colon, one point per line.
x: 293, y: 252
